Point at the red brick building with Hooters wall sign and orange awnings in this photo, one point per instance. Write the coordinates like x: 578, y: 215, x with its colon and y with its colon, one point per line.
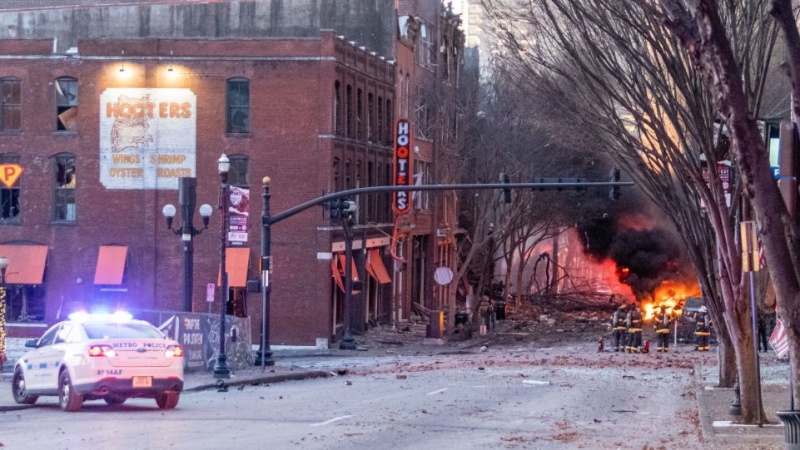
x: 105, y: 127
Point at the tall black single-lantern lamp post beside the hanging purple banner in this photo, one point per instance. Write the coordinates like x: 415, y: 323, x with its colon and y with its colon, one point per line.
x: 221, y: 369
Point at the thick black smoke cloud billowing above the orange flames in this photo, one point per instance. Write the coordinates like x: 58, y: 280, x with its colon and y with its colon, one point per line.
x: 644, y: 258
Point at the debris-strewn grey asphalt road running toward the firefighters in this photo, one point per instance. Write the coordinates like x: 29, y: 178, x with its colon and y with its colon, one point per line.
x: 446, y: 402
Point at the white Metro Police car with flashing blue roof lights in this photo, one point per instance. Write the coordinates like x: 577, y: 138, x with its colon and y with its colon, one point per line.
x: 109, y: 357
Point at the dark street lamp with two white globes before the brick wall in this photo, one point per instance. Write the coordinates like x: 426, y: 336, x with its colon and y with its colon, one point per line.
x: 187, y: 231
